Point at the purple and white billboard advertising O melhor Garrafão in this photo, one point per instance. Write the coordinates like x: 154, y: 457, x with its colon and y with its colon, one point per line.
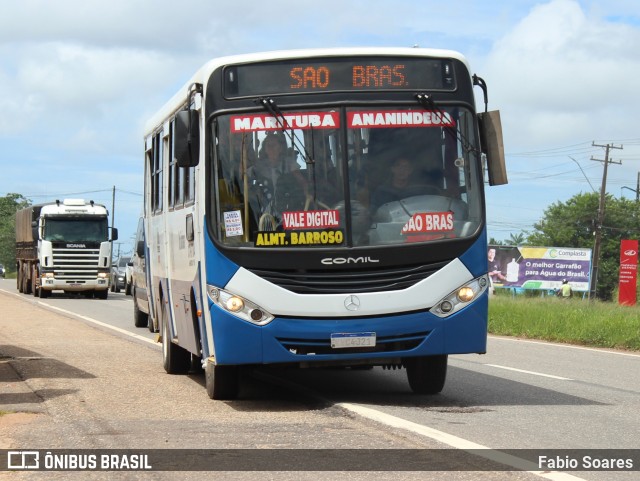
x: 542, y: 268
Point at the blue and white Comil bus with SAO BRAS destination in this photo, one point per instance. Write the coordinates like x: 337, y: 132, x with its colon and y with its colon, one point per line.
x: 321, y: 208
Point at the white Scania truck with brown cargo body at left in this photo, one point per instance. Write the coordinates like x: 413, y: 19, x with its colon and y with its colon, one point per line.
x: 64, y: 246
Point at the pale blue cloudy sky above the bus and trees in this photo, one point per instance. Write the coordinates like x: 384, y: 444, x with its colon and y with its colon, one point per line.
x: 79, y: 79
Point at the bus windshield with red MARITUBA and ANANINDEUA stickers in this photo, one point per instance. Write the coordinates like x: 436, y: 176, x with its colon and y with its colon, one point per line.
x: 346, y: 177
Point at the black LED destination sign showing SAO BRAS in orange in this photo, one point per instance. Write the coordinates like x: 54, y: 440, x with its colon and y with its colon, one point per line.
x: 331, y: 75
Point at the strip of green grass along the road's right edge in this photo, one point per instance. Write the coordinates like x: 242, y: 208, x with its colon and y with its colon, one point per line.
x: 574, y: 321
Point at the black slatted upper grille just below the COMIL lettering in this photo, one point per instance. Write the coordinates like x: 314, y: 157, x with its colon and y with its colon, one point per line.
x: 348, y: 280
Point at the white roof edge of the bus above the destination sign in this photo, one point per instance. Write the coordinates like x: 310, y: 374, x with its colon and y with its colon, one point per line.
x: 180, y: 98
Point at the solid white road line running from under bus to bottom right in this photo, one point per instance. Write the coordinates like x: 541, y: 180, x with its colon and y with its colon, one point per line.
x: 456, y: 442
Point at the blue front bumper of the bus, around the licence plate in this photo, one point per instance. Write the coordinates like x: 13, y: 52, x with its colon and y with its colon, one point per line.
x: 309, y: 340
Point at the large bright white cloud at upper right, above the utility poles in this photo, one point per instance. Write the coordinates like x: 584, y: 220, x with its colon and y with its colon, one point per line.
x: 562, y: 74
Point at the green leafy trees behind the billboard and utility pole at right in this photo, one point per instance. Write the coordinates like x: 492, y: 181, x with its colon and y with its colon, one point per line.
x: 573, y: 224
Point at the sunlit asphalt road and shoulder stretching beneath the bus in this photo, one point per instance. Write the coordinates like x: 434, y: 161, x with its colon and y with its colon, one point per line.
x: 521, y: 395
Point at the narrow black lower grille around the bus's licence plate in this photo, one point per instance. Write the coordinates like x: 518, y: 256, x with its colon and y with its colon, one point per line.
x: 389, y: 344
